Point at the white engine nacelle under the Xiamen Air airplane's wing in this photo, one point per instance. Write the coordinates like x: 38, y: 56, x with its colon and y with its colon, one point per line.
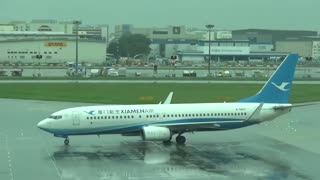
x: 154, y: 133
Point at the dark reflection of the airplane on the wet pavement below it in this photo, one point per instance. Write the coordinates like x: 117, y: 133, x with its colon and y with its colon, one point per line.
x: 138, y: 160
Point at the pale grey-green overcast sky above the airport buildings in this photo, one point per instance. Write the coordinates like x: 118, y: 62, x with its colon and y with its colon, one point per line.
x: 224, y: 14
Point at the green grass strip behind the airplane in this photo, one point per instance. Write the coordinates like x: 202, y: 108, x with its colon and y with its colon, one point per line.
x: 145, y: 93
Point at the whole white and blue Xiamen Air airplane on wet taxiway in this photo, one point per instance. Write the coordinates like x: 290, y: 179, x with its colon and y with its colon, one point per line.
x: 160, y: 122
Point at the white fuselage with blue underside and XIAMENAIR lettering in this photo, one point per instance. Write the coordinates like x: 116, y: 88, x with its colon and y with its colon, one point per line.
x: 126, y: 119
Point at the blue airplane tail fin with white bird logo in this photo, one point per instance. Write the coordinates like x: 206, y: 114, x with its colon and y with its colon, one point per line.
x: 277, y: 88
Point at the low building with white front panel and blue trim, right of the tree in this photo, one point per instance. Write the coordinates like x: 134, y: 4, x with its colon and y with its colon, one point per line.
x: 230, y: 51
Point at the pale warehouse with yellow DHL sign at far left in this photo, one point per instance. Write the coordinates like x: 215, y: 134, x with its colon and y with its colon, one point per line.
x: 54, y: 48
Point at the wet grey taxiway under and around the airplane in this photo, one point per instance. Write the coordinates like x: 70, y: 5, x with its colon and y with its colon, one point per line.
x: 287, y: 148
